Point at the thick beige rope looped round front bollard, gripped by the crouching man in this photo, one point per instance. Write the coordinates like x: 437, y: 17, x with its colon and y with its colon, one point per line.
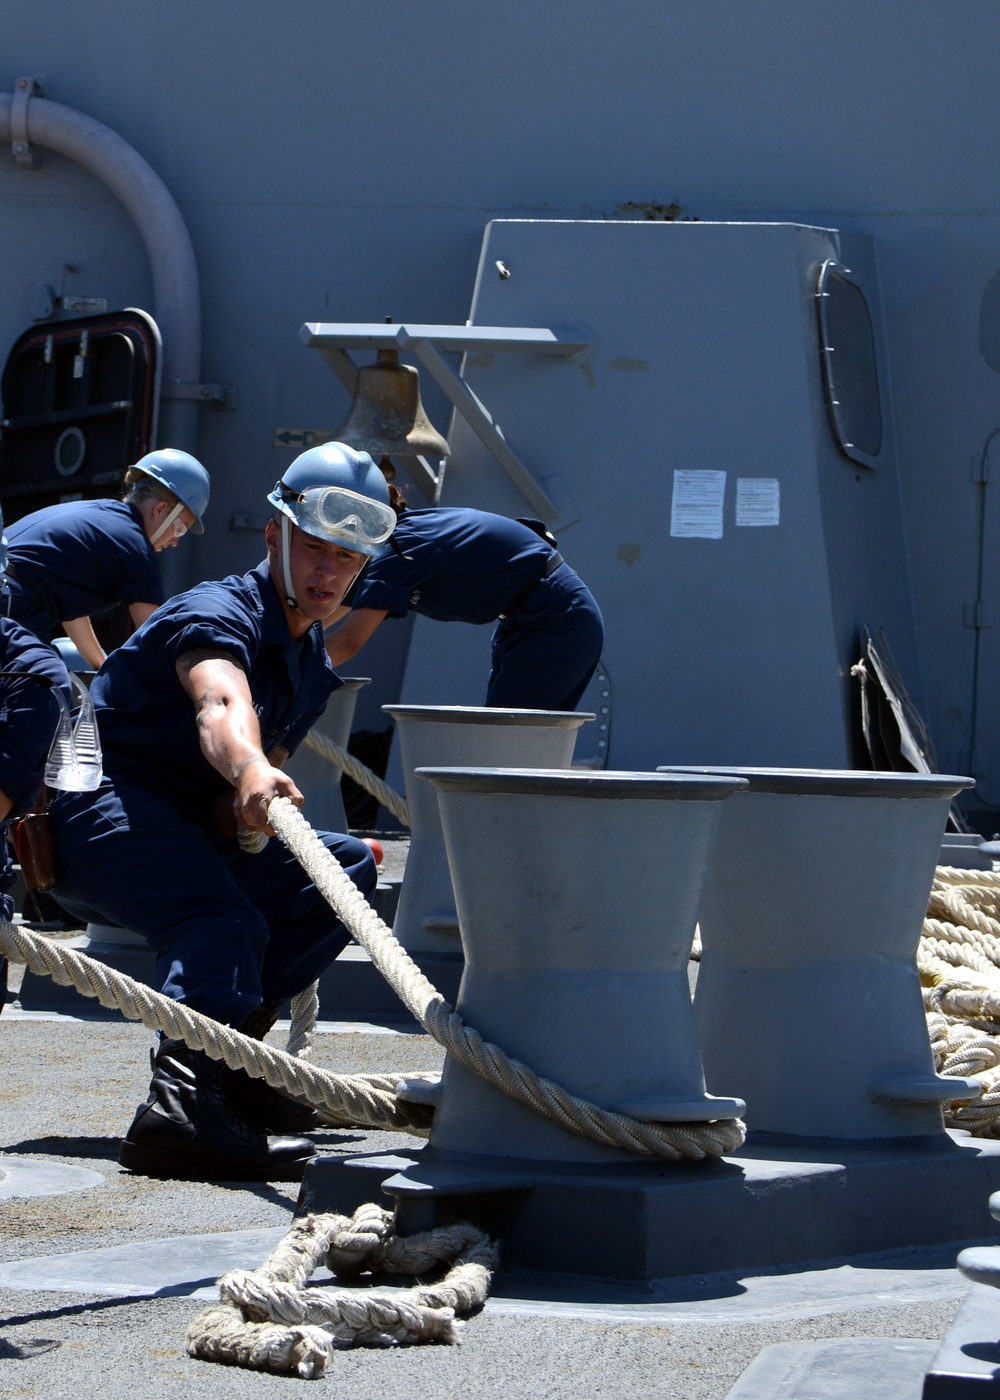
x: 373, y: 1097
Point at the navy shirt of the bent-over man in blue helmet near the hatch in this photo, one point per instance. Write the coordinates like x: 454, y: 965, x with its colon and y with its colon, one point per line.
x: 79, y: 559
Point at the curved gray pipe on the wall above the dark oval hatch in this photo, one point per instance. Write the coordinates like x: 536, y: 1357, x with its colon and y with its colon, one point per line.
x: 176, y: 286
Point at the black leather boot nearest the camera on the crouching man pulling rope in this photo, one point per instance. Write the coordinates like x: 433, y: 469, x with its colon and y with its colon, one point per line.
x: 188, y: 1129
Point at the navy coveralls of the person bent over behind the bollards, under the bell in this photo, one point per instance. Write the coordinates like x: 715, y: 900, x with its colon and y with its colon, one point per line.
x: 459, y: 565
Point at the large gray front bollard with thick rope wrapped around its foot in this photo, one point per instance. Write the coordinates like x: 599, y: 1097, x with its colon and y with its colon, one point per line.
x: 578, y: 897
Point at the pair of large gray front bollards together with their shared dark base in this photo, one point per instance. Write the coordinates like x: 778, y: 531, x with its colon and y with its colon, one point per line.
x: 578, y: 895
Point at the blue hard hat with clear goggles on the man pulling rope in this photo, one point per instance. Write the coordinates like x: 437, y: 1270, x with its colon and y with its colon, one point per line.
x: 340, y: 495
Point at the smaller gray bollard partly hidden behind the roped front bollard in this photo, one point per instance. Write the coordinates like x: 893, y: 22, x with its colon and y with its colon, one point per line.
x: 459, y: 736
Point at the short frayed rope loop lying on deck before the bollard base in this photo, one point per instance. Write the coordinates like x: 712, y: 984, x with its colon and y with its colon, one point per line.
x: 268, y: 1321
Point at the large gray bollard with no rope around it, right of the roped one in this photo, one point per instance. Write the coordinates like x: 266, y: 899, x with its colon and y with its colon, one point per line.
x: 809, y: 999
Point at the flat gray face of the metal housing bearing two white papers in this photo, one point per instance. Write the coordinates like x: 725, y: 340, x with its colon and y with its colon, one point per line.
x: 708, y: 359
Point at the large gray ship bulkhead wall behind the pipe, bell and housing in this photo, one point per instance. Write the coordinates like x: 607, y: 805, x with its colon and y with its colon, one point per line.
x: 877, y: 120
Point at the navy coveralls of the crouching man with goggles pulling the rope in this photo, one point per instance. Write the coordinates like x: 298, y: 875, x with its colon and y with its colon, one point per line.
x: 230, y: 929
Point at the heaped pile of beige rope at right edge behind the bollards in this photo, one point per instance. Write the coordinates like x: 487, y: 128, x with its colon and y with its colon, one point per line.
x: 960, y: 972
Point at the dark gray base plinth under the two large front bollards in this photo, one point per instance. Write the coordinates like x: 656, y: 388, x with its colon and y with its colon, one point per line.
x: 771, y: 1207
